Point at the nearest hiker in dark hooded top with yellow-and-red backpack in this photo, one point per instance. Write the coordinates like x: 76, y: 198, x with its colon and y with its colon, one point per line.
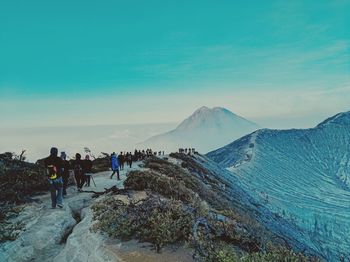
x: 53, y: 165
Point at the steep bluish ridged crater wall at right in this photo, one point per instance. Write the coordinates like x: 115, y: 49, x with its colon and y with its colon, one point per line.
x: 302, y: 176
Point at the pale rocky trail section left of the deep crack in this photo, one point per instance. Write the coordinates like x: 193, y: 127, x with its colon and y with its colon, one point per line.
x: 46, y: 230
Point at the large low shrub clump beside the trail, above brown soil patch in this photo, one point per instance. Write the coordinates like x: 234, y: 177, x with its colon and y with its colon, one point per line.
x: 155, y: 220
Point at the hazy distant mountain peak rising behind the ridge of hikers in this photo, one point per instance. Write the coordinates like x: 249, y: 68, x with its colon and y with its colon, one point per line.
x: 206, y: 129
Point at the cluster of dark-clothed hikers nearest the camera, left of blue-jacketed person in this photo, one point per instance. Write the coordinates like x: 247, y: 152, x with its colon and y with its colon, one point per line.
x: 58, y: 171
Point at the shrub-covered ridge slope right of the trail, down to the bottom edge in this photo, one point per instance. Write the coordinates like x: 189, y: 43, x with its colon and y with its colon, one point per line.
x: 181, y: 207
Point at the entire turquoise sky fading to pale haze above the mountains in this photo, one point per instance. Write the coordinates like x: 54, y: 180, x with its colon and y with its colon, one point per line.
x: 281, y: 63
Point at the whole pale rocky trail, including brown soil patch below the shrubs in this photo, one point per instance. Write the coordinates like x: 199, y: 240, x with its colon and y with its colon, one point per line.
x: 64, y: 235
